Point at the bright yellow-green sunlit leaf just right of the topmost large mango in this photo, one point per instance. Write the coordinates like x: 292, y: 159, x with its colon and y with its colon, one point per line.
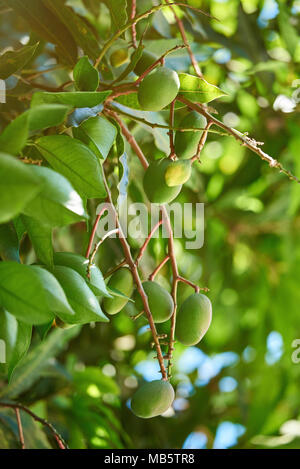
x: 197, y: 89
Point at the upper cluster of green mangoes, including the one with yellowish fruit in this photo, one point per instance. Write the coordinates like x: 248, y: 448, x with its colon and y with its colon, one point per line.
x: 156, y: 91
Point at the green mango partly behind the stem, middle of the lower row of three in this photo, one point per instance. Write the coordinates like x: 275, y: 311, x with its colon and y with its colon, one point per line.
x: 160, y: 301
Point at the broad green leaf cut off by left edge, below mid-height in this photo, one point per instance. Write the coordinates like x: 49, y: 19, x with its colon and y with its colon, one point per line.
x: 22, y: 293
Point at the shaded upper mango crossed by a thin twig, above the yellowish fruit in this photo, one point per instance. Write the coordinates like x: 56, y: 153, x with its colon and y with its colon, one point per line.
x: 186, y: 143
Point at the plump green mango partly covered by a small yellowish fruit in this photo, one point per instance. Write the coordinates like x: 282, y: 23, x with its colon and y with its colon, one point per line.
x: 155, y: 185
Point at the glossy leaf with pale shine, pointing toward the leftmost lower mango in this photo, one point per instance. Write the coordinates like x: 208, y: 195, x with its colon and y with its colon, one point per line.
x: 80, y: 296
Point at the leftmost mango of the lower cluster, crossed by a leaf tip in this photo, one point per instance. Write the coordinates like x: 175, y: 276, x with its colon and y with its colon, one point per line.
x: 123, y: 282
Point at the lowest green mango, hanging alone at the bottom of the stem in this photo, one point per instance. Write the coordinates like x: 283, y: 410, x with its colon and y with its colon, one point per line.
x: 152, y: 399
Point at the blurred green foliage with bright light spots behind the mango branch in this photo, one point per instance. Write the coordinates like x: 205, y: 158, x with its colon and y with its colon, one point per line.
x: 240, y: 387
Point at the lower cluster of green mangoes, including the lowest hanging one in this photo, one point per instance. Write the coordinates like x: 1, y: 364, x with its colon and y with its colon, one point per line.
x: 193, y: 321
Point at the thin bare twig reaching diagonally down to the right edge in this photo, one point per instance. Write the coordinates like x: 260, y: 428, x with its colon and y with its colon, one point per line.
x: 246, y: 141
